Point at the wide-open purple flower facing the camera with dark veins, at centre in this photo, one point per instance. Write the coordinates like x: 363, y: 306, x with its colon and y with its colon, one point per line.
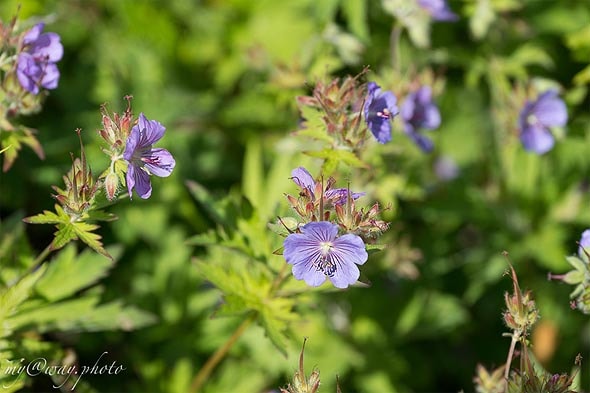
x: 318, y: 252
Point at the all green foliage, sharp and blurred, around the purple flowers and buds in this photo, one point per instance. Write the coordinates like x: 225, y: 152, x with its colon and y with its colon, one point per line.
x: 203, y: 253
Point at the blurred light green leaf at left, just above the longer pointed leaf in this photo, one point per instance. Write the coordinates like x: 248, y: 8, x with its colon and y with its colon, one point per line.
x: 68, y: 273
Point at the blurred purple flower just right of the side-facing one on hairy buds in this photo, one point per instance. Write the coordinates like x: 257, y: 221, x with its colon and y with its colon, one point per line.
x: 419, y: 111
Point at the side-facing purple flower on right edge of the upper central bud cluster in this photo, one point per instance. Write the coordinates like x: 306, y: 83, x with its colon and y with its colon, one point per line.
x: 380, y: 108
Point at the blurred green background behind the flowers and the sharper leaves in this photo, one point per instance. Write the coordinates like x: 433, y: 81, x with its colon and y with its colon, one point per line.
x: 222, y: 76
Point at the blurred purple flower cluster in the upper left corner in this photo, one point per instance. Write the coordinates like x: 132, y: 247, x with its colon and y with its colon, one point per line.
x: 36, y: 63
